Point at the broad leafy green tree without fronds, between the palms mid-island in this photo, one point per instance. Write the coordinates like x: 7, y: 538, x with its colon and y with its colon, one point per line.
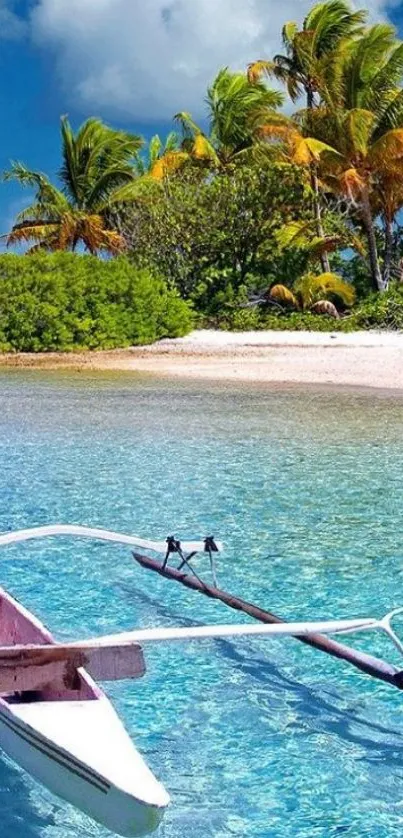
x: 213, y: 237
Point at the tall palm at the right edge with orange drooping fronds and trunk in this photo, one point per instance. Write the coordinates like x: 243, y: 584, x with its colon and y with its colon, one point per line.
x: 363, y: 125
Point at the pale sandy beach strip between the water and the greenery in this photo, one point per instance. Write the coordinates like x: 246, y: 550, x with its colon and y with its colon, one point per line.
x: 361, y: 359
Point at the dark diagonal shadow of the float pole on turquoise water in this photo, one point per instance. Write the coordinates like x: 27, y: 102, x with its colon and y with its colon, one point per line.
x: 319, y: 713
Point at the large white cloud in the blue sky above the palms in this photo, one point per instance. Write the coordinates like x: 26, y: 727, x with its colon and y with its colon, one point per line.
x: 147, y: 59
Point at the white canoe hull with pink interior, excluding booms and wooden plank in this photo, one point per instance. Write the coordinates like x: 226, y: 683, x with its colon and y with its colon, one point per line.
x: 72, y: 741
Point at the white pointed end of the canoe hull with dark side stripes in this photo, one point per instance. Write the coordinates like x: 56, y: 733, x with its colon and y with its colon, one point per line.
x: 129, y: 801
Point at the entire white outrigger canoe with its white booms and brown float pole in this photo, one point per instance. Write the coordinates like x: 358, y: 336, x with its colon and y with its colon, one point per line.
x: 58, y: 724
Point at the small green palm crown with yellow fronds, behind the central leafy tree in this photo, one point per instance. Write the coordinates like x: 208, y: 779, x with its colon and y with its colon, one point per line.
x: 236, y: 107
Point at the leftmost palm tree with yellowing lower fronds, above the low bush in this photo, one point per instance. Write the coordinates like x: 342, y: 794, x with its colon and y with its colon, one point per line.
x: 97, y: 171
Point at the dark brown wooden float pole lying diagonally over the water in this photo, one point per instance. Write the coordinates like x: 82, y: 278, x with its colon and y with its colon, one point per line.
x: 368, y: 664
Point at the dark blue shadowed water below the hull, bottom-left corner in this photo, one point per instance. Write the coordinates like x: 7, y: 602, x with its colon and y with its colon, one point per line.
x: 19, y: 818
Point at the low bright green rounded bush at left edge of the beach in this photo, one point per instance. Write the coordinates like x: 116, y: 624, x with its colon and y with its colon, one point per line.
x: 66, y: 301
